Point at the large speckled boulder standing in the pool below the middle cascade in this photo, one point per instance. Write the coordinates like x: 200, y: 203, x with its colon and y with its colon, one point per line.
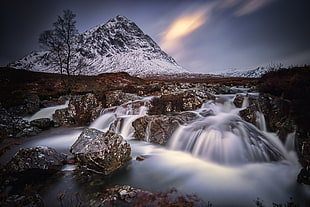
x: 101, y: 152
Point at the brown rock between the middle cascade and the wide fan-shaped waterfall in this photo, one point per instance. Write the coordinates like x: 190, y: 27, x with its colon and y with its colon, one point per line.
x: 158, y: 129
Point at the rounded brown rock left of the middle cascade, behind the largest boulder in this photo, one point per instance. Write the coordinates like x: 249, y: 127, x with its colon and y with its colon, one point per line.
x: 84, y: 109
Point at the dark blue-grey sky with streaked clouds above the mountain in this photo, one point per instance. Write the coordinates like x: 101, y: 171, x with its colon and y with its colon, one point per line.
x: 203, y: 36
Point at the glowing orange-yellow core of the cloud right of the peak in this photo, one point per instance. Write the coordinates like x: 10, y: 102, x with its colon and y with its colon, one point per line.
x: 182, y: 26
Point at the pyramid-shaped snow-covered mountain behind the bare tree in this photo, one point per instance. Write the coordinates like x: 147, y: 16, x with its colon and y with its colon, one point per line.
x: 116, y: 46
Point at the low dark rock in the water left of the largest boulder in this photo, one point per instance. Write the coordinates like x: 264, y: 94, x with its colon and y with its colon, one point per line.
x: 37, y: 159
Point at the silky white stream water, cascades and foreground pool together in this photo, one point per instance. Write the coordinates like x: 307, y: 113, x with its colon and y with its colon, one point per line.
x: 219, y: 157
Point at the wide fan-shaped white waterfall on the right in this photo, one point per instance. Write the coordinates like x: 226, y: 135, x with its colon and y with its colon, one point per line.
x: 223, y: 137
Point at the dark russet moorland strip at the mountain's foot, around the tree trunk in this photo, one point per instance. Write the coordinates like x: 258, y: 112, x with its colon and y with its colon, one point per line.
x: 14, y: 84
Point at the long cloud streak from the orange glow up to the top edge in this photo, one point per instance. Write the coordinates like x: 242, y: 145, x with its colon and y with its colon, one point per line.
x: 183, y: 25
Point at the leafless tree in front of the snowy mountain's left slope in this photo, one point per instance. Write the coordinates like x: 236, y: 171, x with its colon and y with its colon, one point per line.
x: 62, y: 47
